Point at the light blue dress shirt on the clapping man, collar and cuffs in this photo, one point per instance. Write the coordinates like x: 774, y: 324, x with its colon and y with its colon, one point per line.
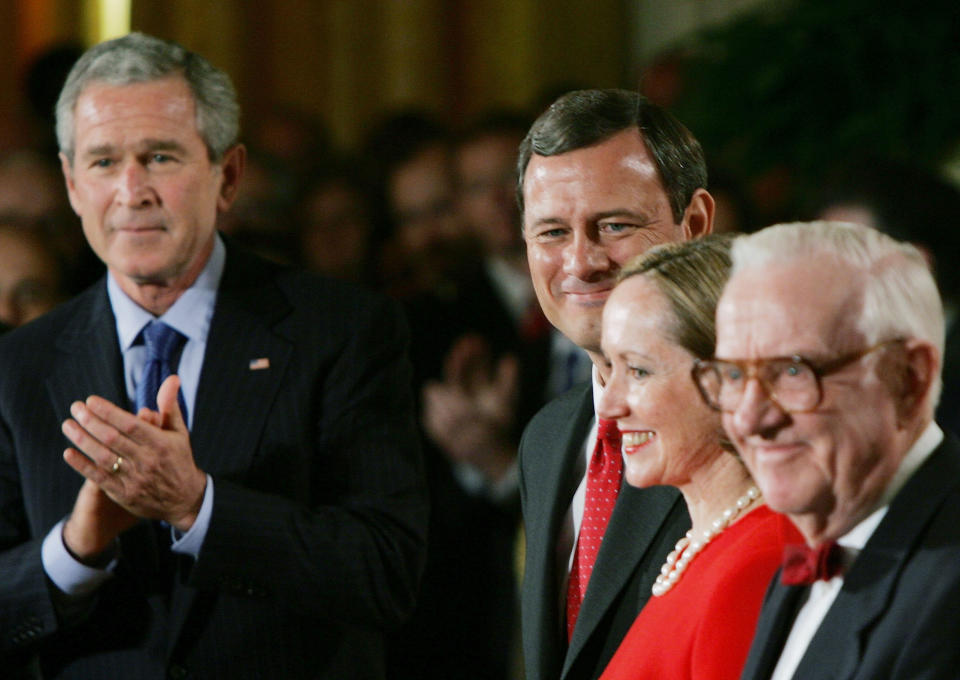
x: 190, y: 315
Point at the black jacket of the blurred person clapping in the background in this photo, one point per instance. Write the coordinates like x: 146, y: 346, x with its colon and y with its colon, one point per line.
x: 442, y: 640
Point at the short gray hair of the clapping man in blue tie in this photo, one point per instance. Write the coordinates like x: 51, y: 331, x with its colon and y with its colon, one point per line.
x: 139, y: 58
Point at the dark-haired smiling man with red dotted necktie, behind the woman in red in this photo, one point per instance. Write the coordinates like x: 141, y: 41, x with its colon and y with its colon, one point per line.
x: 603, y: 176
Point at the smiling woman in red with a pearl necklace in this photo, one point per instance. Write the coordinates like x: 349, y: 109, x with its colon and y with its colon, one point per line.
x: 657, y: 322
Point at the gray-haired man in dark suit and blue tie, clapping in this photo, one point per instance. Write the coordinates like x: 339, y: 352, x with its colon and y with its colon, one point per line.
x: 262, y: 514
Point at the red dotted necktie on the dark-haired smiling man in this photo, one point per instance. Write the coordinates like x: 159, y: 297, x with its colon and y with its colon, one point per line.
x: 603, y: 484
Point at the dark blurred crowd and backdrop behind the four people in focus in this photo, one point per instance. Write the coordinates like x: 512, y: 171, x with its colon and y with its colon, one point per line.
x: 383, y: 138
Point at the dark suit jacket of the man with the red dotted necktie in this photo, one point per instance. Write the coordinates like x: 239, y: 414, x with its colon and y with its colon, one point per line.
x: 645, y: 525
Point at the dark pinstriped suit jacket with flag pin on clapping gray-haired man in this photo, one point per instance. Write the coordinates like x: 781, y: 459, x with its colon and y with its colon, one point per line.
x: 316, y: 540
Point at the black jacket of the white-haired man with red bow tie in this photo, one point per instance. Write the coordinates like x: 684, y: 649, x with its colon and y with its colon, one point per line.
x: 898, y: 612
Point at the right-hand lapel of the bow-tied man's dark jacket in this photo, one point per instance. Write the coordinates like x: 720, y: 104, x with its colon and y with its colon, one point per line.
x: 872, y: 579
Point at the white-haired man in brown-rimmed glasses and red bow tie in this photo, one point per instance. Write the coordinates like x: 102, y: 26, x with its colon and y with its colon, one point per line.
x: 829, y: 338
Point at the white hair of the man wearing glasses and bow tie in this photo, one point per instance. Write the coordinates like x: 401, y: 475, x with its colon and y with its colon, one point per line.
x: 900, y: 296
